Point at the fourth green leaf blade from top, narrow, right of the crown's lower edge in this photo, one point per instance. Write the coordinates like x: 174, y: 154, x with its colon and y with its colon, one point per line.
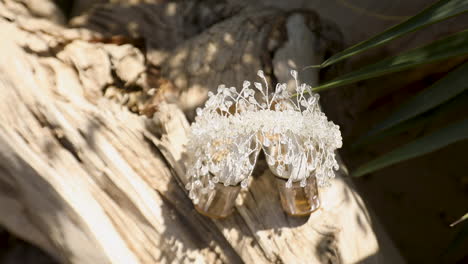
x: 454, y: 104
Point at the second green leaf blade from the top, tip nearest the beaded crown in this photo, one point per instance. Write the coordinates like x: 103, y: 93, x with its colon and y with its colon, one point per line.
x: 451, y: 46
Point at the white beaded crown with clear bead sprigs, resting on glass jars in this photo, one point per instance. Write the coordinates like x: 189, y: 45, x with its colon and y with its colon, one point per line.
x: 234, y: 126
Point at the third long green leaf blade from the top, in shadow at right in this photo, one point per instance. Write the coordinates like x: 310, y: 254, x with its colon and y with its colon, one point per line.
x: 448, y: 87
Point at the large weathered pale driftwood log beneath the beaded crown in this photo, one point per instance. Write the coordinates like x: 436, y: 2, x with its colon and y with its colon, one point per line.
x: 93, y: 121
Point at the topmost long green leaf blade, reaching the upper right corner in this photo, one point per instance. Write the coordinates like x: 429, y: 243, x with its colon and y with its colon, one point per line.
x: 439, y: 11
